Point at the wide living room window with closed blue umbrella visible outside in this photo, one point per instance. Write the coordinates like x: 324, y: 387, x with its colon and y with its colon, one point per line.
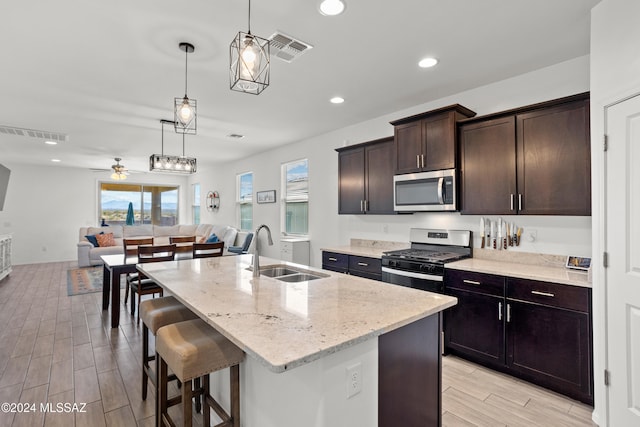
x: 152, y: 204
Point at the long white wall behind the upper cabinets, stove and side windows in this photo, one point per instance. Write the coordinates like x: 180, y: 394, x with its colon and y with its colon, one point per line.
x: 556, y: 235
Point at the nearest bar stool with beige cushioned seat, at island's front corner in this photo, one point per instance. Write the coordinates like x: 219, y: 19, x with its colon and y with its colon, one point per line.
x: 193, y: 349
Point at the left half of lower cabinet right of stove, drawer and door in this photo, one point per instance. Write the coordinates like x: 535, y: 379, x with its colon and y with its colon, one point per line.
x: 474, y: 328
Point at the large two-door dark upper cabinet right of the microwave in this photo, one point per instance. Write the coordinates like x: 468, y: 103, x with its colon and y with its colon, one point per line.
x: 535, y: 160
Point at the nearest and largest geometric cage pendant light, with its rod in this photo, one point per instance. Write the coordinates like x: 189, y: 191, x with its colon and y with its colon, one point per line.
x: 249, y: 57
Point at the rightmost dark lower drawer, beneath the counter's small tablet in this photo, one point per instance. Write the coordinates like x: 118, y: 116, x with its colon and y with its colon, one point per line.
x: 551, y: 294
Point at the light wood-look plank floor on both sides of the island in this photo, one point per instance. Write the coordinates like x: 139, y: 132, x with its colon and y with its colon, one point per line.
x: 60, y: 349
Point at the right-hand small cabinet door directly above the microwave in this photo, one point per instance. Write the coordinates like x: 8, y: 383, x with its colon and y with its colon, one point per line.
x: 440, y: 143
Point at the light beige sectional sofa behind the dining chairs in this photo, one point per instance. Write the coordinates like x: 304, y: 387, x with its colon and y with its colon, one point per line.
x: 89, y: 254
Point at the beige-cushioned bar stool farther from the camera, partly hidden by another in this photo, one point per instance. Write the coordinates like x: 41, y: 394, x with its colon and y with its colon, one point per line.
x: 156, y: 313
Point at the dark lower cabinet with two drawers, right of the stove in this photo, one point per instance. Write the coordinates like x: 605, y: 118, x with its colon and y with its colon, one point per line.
x: 537, y: 331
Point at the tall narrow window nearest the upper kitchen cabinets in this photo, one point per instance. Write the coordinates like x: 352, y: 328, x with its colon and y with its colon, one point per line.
x: 295, y: 197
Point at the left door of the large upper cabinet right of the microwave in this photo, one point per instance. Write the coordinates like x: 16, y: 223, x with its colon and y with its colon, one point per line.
x: 488, y: 167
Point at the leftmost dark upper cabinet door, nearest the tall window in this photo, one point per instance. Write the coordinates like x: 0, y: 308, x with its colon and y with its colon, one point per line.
x: 351, y: 181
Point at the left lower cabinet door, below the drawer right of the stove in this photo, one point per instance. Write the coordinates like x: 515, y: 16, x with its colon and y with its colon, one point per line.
x: 474, y: 328
